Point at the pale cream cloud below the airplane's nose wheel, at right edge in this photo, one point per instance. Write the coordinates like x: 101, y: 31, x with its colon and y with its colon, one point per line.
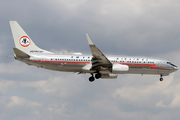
x: 161, y: 94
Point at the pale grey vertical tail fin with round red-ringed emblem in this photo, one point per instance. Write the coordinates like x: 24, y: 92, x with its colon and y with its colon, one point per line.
x: 23, y: 42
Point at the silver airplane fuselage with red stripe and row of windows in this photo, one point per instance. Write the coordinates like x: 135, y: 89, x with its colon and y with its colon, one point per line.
x: 74, y: 63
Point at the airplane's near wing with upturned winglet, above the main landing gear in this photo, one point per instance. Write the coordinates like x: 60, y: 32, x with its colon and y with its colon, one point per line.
x: 99, y: 60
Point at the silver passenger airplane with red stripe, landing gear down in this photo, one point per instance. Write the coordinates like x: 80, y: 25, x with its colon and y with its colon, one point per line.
x: 98, y: 65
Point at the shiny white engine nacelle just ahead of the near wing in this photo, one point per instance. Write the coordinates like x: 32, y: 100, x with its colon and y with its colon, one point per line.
x: 118, y: 68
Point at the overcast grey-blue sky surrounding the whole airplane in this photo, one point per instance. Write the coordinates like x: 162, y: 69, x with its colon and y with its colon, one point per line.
x: 121, y: 27
